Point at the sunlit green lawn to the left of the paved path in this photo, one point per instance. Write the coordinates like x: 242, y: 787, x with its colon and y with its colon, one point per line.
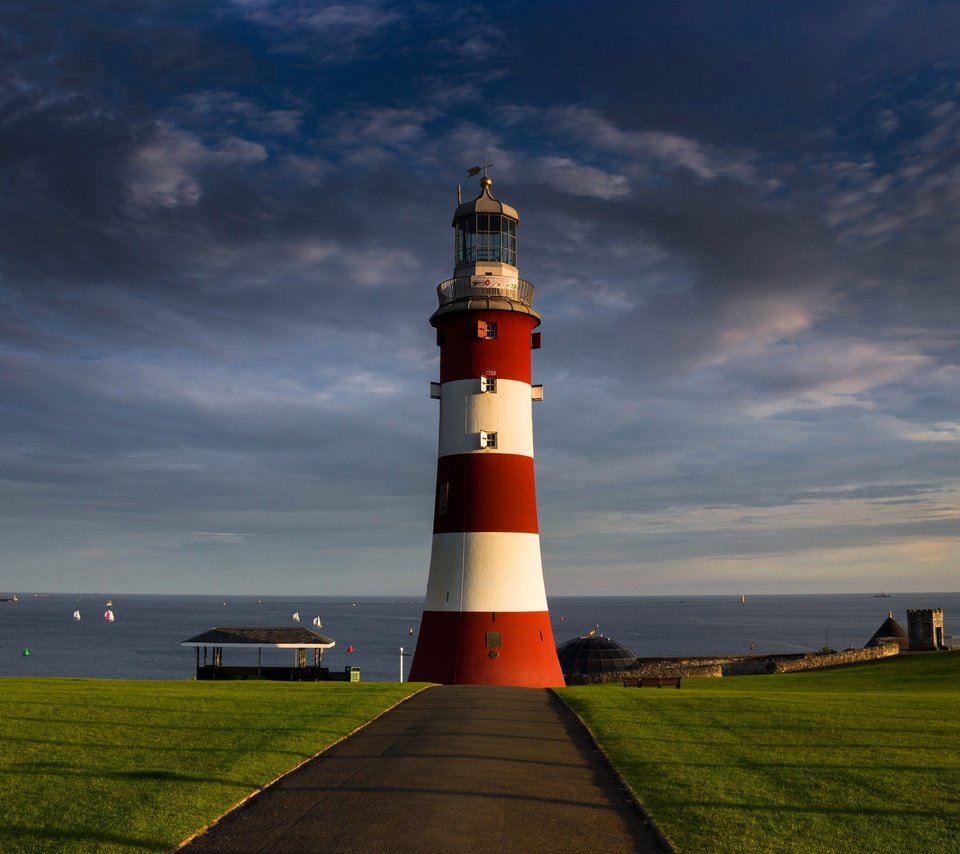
x: 108, y: 765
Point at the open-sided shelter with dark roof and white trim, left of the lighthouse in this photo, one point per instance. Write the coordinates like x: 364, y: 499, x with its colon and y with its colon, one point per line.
x: 297, y: 639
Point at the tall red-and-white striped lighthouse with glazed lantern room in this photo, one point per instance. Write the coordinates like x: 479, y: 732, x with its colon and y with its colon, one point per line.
x: 485, y: 618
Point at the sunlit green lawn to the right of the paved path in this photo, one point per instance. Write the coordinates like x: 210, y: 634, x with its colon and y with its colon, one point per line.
x: 860, y: 758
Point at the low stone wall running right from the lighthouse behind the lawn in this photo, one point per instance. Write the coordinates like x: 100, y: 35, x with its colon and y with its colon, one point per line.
x: 711, y: 668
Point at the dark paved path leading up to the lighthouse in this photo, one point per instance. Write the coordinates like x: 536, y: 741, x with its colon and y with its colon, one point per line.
x: 457, y: 768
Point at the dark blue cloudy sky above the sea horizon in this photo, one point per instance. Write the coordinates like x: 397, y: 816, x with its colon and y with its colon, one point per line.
x: 222, y: 224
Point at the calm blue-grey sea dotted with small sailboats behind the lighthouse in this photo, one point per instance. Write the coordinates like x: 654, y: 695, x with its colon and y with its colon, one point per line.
x: 39, y: 635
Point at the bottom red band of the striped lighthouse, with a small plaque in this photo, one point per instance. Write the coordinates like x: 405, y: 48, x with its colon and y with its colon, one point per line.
x: 487, y: 648
